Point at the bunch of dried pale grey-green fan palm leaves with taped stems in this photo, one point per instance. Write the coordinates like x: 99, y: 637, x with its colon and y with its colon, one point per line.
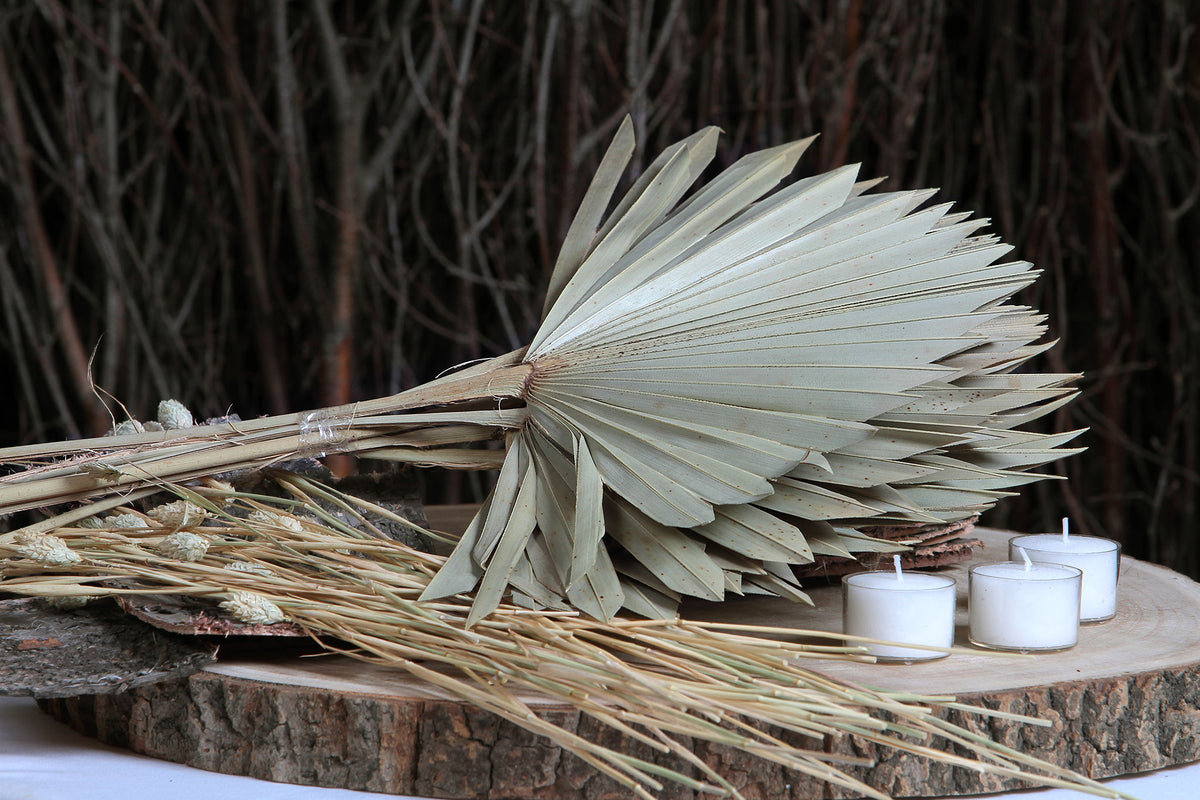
x: 723, y: 386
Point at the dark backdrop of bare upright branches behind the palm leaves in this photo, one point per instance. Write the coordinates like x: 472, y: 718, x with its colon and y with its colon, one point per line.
x: 274, y: 206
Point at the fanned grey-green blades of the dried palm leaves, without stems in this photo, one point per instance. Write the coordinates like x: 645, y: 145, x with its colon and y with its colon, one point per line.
x: 817, y: 317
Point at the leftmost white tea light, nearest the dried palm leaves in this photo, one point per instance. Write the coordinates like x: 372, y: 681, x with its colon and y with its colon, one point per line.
x: 902, y: 607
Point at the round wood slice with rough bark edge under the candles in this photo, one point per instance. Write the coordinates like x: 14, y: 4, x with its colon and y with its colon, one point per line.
x: 1124, y: 701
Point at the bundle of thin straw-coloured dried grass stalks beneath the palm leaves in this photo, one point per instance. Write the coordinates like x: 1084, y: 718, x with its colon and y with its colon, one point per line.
x: 269, y: 560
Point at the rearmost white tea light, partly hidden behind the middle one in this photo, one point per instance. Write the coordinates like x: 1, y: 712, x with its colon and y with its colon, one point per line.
x: 1100, y: 560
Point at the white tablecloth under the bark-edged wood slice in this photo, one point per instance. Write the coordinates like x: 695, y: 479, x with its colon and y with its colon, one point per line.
x: 41, y: 760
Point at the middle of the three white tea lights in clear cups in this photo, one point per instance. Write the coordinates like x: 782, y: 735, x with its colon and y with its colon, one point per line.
x: 1024, y: 607
